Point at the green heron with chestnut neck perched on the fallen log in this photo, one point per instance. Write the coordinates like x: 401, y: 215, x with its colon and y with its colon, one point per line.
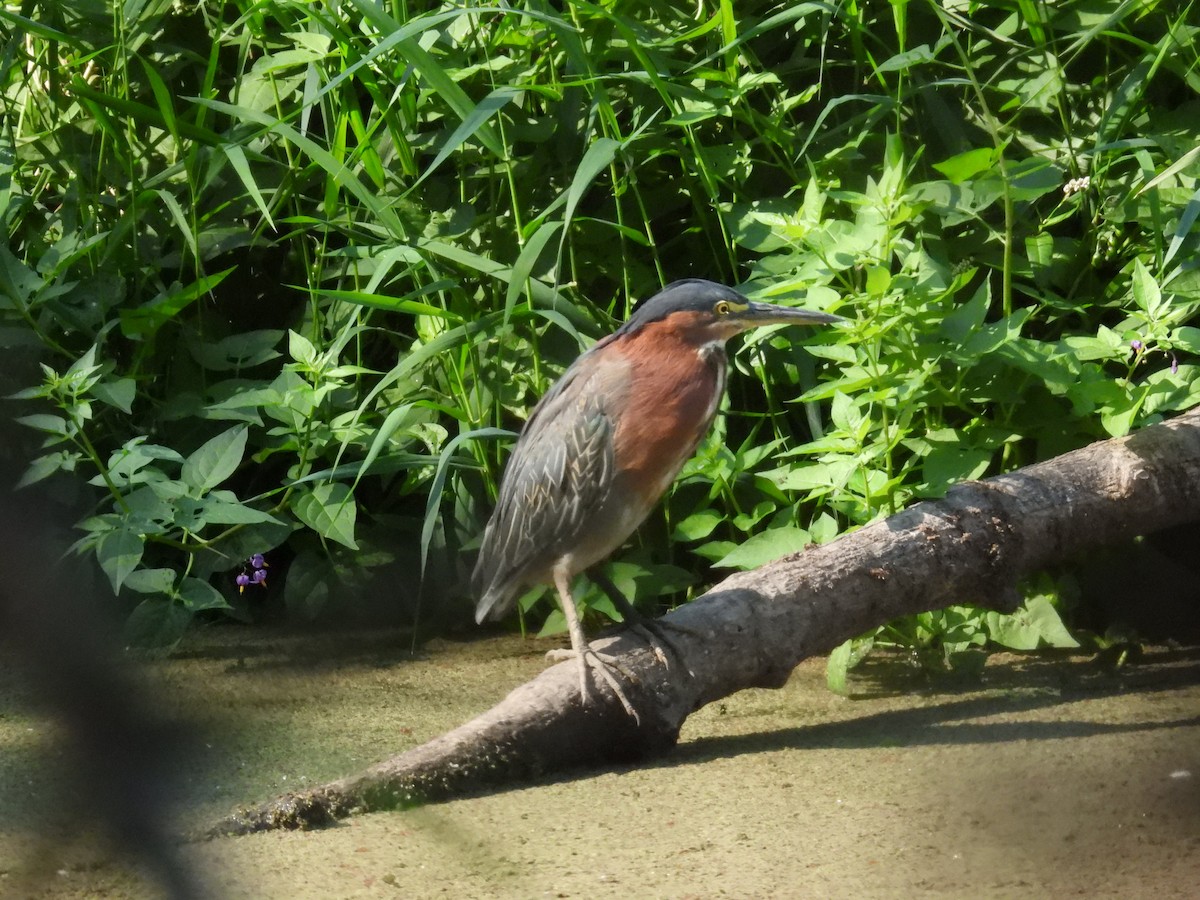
x: 607, y: 442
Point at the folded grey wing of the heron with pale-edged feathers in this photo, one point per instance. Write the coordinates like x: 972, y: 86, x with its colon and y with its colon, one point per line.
x: 557, y: 475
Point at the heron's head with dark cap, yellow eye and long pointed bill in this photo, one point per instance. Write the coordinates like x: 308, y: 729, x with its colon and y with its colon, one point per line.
x: 706, y: 313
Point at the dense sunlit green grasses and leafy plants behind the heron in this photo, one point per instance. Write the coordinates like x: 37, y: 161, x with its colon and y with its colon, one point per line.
x: 281, y: 278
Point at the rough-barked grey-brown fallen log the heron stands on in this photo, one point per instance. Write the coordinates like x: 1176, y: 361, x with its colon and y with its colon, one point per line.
x: 754, y: 628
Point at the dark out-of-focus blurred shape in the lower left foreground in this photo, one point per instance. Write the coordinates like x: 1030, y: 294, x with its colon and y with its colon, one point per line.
x: 123, y: 758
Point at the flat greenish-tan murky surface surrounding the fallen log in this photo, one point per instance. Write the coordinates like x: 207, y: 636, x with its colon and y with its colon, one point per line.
x: 1048, y: 779
